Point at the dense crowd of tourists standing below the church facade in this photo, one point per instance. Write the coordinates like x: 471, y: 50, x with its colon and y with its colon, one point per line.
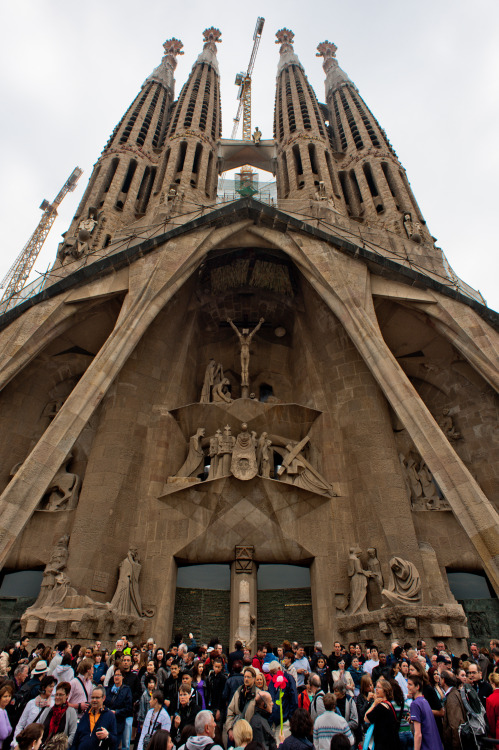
x: 190, y: 697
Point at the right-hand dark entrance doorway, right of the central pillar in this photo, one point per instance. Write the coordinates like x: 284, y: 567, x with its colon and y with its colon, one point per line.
x: 284, y: 604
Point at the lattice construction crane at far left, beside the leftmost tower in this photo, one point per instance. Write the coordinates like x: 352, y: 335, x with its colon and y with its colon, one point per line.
x: 23, y: 265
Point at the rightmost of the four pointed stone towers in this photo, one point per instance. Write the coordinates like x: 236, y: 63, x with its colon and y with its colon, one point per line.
x: 373, y: 181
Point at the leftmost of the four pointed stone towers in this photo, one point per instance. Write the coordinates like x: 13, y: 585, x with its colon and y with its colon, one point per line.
x: 123, y: 178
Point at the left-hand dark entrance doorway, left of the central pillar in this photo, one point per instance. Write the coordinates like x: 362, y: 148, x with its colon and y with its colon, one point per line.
x: 202, y: 602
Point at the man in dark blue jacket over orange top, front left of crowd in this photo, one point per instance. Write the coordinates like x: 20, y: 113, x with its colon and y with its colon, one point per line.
x: 97, y: 727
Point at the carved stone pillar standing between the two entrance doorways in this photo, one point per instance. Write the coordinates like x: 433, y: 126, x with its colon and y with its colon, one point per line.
x: 243, y: 585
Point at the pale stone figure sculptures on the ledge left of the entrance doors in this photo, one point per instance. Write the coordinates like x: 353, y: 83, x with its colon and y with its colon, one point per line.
x: 56, y: 585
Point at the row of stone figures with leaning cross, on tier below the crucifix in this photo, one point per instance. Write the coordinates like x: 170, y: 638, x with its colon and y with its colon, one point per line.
x: 247, y: 455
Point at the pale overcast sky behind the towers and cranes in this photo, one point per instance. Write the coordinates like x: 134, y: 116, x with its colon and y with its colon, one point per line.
x: 429, y: 71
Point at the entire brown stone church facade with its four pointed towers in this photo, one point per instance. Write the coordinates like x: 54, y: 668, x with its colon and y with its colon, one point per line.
x: 301, y: 381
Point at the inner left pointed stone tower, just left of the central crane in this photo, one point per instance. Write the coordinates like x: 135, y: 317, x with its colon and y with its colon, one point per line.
x: 188, y: 171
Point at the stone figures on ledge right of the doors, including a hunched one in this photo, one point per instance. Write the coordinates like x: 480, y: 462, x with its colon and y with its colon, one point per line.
x: 404, y: 586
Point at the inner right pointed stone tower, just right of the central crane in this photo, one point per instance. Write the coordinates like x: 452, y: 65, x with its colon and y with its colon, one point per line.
x: 305, y: 163
